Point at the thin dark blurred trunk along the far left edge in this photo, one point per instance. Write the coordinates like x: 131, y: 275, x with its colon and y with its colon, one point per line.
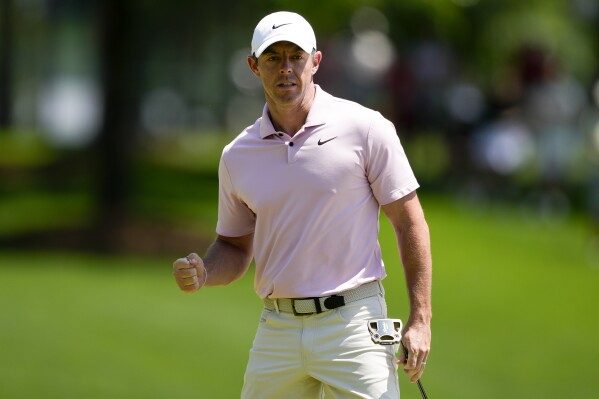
x: 6, y: 48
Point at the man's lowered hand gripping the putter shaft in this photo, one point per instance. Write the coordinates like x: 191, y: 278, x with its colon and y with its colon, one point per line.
x: 417, y: 340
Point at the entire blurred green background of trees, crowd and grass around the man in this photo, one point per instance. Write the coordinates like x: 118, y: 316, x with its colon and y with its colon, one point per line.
x: 112, y: 118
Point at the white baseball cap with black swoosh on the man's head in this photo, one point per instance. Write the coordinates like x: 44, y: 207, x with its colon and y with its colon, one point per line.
x: 283, y: 26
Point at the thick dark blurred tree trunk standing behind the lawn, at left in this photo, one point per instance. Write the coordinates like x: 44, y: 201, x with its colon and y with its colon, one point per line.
x: 122, y: 51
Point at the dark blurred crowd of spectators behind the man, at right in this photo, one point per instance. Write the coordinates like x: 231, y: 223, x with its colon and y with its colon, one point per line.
x: 529, y: 136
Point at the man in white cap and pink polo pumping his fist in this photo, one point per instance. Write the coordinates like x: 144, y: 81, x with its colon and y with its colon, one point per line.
x: 300, y: 192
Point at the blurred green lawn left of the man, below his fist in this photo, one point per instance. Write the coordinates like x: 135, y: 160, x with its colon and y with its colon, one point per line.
x: 83, y: 327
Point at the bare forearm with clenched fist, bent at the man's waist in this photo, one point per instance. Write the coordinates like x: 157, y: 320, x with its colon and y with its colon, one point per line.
x: 227, y: 259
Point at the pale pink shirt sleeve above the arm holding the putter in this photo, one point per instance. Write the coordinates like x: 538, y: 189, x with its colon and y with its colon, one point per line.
x: 388, y: 169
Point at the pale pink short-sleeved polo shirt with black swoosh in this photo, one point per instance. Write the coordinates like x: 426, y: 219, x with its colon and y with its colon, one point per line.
x: 312, y: 200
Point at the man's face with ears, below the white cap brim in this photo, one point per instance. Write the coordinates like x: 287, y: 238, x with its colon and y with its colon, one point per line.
x: 286, y: 72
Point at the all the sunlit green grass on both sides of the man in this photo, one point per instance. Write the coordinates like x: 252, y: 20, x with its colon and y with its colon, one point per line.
x: 514, y: 300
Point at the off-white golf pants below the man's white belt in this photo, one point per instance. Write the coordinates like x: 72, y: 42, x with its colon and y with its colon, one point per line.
x: 328, y: 355
